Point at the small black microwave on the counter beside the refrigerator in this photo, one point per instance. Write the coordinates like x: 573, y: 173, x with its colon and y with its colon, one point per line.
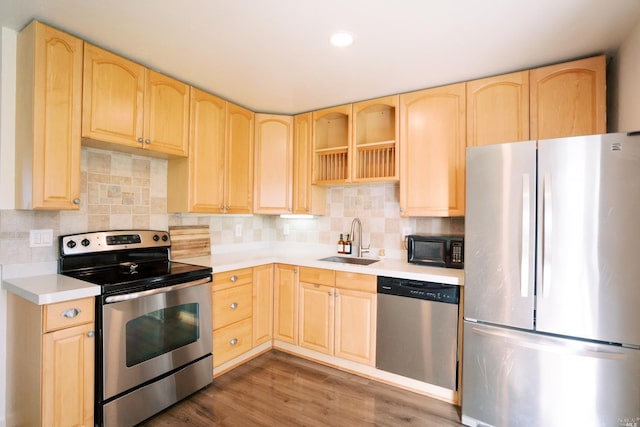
x: 436, y: 251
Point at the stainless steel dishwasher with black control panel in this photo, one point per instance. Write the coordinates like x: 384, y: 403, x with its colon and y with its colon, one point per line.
x: 417, y: 332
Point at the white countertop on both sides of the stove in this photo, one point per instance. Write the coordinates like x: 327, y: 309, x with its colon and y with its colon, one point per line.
x: 46, y: 287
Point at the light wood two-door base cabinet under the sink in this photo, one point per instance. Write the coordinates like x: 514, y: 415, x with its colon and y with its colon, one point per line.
x: 338, y: 314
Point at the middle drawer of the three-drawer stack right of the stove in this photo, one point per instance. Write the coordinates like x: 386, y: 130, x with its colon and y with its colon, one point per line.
x: 231, y: 305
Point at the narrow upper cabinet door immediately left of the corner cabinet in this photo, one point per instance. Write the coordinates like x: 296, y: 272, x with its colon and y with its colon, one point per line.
x: 239, y: 160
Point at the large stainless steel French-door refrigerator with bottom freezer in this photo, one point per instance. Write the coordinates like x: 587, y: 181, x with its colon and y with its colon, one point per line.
x: 552, y: 283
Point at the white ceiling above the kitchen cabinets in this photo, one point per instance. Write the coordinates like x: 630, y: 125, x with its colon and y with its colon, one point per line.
x: 274, y: 56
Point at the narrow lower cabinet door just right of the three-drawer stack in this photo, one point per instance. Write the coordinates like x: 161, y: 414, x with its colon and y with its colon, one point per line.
x: 262, y: 304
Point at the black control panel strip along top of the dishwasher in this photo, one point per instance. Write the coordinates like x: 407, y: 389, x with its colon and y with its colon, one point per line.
x: 430, y: 291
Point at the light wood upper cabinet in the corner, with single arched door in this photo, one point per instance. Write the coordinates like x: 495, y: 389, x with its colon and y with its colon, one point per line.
x: 273, y: 164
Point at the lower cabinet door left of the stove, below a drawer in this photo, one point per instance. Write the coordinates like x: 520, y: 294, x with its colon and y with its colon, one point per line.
x: 67, y: 377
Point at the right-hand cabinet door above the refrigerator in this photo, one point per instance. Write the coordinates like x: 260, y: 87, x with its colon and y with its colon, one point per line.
x: 569, y: 99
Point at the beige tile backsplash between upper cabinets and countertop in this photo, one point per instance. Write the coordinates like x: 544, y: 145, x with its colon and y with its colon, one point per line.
x: 122, y: 191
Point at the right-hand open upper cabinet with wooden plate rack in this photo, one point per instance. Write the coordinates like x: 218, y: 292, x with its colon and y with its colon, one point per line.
x: 375, y: 139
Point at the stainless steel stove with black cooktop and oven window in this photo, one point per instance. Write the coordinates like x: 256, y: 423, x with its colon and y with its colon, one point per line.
x: 153, y: 321
